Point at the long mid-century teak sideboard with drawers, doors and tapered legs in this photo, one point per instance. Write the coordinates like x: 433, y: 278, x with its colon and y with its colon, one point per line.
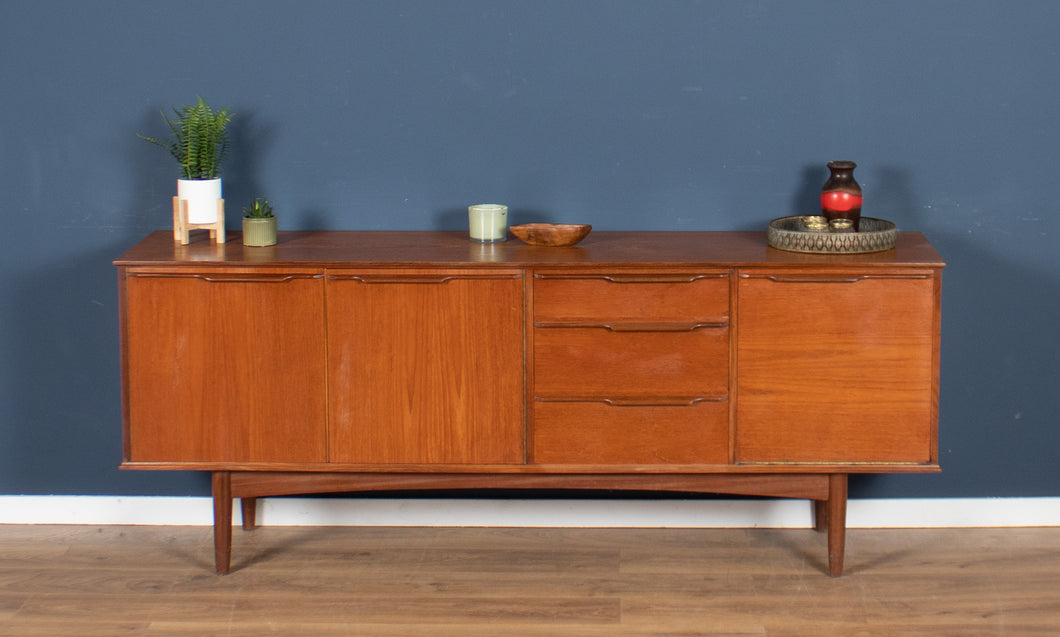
x: 685, y: 362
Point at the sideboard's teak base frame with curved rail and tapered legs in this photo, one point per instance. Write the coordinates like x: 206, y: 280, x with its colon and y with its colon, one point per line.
x: 827, y: 491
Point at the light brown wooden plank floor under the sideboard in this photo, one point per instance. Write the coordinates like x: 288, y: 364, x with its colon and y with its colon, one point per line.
x: 86, y: 581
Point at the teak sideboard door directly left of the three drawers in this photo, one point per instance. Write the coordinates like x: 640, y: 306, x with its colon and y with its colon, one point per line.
x: 426, y: 366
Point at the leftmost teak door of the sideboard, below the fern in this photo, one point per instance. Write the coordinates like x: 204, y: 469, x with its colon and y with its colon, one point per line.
x: 224, y: 365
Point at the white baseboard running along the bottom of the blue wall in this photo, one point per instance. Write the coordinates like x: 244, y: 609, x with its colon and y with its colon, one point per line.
x: 776, y: 515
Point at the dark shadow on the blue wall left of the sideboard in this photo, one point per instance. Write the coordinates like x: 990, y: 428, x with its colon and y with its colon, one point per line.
x: 67, y: 418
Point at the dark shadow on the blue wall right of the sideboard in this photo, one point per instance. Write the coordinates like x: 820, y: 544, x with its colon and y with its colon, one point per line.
x: 998, y: 404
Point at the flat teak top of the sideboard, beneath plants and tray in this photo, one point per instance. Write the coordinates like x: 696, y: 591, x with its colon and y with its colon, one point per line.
x: 452, y: 249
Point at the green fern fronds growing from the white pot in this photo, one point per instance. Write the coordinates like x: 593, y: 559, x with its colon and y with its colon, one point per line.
x: 200, y: 139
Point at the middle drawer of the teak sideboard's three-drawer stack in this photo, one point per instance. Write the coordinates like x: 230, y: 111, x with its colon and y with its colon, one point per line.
x: 611, y: 362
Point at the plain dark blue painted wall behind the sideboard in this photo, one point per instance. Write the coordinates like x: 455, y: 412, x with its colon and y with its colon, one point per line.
x: 624, y: 114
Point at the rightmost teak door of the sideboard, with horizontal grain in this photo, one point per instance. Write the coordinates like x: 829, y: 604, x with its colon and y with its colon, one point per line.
x: 837, y: 367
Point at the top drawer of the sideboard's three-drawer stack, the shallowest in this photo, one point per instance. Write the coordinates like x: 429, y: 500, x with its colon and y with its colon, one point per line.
x: 634, y: 296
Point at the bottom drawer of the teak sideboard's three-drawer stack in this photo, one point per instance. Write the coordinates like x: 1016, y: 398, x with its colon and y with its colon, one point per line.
x: 609, y: 434
